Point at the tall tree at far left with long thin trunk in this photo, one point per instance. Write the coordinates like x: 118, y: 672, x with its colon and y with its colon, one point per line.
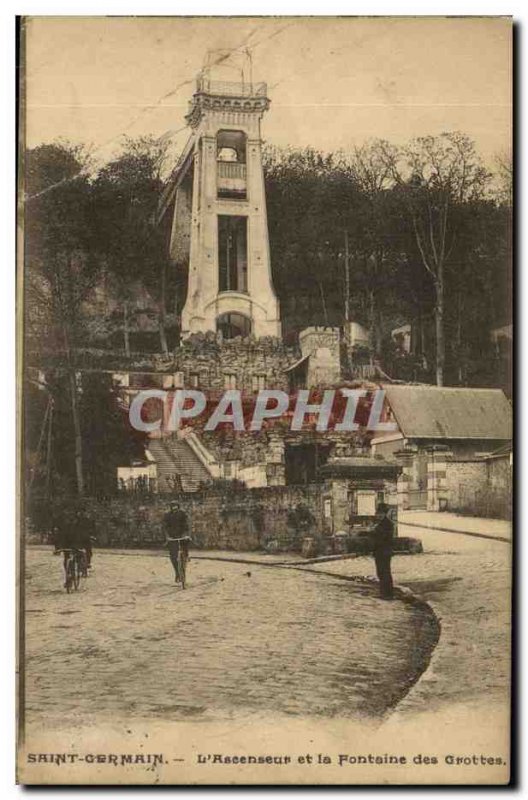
x: 59, y: 255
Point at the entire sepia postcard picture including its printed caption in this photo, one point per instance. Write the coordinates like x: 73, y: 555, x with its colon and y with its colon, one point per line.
x: 265, y: 460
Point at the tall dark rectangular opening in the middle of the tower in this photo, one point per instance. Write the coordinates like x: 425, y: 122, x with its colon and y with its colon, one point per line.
x: 232, y: 254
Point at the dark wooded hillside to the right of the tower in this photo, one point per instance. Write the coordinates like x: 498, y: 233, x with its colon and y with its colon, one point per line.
x: 422, y: 225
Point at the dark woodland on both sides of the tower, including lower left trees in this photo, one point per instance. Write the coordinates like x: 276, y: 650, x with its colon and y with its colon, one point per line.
x: 379, y: 235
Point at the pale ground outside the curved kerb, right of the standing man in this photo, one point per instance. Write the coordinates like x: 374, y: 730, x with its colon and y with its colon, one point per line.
x: 466, y: 580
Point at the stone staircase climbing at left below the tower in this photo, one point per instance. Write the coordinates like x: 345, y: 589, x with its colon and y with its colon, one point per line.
x: 174, y: 457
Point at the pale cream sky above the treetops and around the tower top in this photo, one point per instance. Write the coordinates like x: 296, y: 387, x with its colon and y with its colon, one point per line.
x: 333, y: 82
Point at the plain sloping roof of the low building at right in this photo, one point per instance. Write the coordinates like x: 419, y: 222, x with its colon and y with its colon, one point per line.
x: 438, y: 412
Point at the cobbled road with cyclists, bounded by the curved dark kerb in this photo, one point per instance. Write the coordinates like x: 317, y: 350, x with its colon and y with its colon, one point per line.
x: 242, y: 639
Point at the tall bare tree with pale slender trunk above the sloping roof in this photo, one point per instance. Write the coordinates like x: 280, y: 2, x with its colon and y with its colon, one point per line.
x: 435, y: 176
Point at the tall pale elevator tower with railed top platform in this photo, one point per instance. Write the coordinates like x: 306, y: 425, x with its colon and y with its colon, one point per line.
x: 214, y: 209
